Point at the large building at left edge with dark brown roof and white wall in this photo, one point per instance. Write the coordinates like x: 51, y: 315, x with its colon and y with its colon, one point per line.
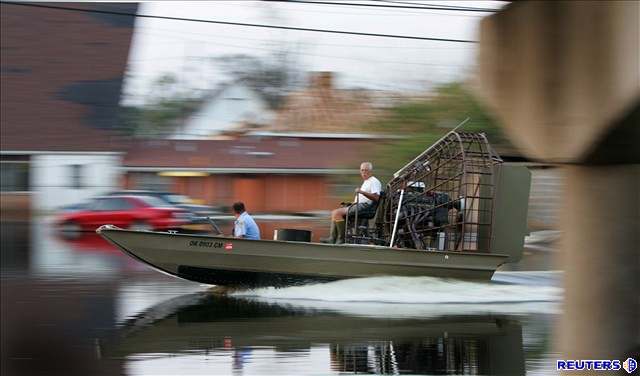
x: 61, y: 78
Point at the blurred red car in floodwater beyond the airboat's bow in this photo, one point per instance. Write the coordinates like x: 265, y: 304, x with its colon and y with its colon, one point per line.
x: 133, y: 212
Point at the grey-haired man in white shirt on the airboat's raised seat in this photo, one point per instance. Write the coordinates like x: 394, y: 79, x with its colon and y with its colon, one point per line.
x: 366, y: 196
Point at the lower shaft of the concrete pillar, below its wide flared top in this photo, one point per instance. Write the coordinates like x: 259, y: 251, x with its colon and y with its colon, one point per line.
x: 601, y: 236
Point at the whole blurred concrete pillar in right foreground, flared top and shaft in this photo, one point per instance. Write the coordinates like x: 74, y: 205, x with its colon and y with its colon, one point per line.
x: 564, y: 78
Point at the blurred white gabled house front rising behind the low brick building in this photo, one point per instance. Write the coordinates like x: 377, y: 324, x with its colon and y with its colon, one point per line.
x: 232, y: 106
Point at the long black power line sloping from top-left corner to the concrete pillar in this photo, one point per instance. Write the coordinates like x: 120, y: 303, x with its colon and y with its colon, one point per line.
x: 240, y: 23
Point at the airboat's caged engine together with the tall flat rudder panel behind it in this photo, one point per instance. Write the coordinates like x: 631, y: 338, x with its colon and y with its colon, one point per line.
x: 457, y: 195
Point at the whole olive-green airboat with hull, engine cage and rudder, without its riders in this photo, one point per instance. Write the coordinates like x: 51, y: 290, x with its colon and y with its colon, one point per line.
x: 455, y: 211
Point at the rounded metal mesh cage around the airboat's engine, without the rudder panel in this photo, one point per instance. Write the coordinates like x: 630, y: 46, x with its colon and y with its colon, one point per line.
x: 445, y: 197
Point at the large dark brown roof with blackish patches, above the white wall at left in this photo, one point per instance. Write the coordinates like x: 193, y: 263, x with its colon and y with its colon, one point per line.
x: 61, y: 77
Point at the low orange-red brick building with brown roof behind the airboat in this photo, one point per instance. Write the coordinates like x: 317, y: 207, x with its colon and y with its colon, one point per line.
x: 278, y: 174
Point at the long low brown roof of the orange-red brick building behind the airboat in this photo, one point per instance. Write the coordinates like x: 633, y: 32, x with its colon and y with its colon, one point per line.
x: 249, y: 154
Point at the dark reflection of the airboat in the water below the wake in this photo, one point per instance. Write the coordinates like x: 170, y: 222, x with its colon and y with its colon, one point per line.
x: 218, y: 326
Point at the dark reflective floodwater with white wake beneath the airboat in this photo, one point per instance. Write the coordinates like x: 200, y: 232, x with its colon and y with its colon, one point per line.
x: 80, y: 307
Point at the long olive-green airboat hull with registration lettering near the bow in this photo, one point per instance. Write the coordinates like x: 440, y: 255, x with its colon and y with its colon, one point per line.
x: 228, y: 261
